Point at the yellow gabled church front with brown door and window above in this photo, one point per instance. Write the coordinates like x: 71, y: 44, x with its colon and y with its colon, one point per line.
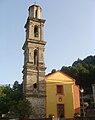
x: 65, y: 100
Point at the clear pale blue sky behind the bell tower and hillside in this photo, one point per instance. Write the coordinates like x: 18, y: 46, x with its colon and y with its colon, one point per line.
x: 69, y: 32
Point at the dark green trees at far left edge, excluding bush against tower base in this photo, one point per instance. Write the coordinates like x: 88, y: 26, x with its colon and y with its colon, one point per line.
x: 9, y: 97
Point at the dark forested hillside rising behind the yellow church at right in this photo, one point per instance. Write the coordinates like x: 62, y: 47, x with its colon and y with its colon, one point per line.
x: 83, y: 71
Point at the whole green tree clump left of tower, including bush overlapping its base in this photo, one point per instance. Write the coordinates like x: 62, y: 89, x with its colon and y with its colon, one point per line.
x: 11, y: 101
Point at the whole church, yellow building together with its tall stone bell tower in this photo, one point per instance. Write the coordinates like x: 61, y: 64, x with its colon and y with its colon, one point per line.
x: 34, y: 79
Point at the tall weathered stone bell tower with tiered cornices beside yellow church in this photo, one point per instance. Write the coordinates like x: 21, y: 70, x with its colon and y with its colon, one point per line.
x: 34, y: 66
